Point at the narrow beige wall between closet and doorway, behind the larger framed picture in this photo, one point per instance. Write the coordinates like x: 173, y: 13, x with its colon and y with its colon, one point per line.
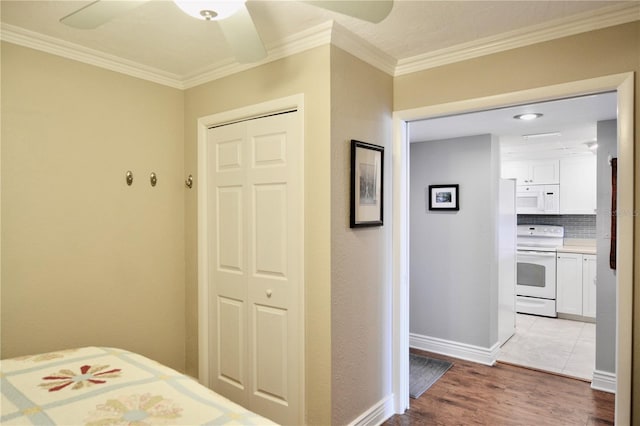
x: 361, y: 99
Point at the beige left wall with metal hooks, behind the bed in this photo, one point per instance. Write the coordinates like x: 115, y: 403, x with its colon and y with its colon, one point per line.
x: 87, y: 260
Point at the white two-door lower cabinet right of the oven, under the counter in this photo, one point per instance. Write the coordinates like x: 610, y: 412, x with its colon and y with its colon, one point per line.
x: 576, y: 284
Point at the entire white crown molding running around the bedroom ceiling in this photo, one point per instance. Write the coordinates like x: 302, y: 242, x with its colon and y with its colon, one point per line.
x: 331, y: 32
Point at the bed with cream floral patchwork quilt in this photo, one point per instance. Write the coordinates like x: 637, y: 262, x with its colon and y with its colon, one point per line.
x: 105, y: 386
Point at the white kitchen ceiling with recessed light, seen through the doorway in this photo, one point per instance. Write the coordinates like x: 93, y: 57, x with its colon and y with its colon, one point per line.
x: 574, y: 120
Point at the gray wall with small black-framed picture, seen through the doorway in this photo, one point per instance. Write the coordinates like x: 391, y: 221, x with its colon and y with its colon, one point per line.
x: 453, y: 254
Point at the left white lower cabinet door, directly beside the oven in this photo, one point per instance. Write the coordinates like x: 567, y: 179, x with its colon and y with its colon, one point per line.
x: 569, y: 283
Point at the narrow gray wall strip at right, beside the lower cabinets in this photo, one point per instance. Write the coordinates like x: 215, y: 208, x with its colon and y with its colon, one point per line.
x: 605, y: 277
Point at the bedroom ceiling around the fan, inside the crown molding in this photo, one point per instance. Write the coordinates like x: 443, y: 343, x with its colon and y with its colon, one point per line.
x: 159, y: 38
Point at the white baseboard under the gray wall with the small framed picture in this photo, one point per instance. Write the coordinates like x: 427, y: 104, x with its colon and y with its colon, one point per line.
x: 486, y: 356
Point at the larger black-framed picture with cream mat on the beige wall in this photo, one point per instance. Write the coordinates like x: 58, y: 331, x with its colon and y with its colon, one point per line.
x: 366, y: 184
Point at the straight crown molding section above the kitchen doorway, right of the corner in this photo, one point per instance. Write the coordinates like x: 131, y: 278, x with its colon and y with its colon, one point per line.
x: 558, y: 28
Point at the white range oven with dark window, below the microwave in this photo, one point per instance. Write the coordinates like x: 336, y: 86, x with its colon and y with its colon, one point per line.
x: 536, y: 270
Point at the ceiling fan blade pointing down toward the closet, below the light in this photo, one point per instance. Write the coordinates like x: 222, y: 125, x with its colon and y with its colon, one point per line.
x: 243, y: 37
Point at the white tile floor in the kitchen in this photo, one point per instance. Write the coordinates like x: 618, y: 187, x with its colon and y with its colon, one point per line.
x: 552, y: 344
